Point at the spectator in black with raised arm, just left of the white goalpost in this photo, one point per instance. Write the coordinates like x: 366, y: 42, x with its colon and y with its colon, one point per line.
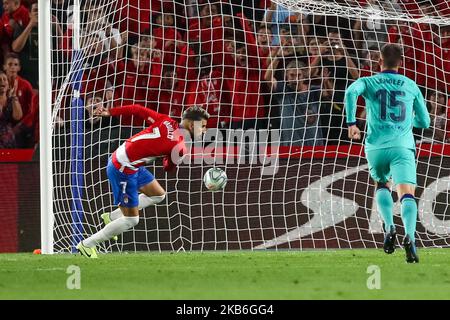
x: 25, y: 43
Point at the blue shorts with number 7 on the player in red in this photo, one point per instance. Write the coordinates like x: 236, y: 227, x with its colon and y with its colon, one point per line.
x: 126, y: 186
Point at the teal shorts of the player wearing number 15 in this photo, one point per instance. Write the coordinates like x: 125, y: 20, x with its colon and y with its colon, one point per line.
x: 398, y: 163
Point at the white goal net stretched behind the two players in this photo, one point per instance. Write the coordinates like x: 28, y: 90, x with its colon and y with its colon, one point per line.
x: 273, y: 77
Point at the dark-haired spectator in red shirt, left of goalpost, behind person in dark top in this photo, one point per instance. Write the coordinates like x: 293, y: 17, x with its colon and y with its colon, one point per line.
x: 24, y: 90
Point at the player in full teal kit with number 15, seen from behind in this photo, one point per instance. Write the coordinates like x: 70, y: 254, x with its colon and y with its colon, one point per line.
x: 394, y: 105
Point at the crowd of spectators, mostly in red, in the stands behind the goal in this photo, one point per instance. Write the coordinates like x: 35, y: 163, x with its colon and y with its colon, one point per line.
x: 253, y: 65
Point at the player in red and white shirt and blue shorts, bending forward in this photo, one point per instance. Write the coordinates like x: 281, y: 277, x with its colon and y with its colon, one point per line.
x: 126, y: 172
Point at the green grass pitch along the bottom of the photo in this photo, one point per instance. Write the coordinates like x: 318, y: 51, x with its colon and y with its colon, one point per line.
x: 340, y: 274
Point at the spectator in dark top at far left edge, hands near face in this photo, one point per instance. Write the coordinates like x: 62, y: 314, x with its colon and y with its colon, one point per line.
x: 10, y: 112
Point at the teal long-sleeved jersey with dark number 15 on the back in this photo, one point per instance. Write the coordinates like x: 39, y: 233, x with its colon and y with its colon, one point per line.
x: 394, y: 104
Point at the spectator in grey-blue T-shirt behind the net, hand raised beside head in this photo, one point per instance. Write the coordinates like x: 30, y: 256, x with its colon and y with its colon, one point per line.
x: 299, y: 105
